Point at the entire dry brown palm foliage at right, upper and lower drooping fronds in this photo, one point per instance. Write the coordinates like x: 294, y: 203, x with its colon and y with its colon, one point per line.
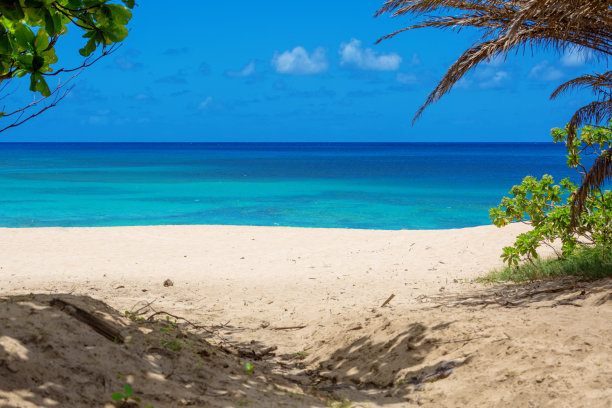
x: 515, y: 25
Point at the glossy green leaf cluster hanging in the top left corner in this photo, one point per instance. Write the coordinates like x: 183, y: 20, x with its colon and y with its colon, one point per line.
x: 29, y: 30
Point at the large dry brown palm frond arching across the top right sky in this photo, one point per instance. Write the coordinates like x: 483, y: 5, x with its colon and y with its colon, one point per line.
x: 508, y: 25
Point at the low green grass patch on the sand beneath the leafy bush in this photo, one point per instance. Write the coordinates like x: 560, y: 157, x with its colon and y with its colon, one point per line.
x: 587, y: 263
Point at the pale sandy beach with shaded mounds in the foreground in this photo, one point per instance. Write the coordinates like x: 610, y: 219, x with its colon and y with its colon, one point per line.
x: 442, y: 341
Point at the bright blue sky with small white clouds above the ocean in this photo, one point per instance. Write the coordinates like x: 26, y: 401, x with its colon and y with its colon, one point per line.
x: 297, y: 71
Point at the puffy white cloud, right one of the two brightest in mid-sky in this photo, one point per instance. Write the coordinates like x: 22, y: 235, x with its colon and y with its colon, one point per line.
x: 352, y: 55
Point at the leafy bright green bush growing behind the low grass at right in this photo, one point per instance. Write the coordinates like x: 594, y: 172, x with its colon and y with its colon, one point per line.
x: 547, y: 206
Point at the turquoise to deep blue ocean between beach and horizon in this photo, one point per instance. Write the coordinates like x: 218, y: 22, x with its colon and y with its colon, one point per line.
x: 346, y: 185
